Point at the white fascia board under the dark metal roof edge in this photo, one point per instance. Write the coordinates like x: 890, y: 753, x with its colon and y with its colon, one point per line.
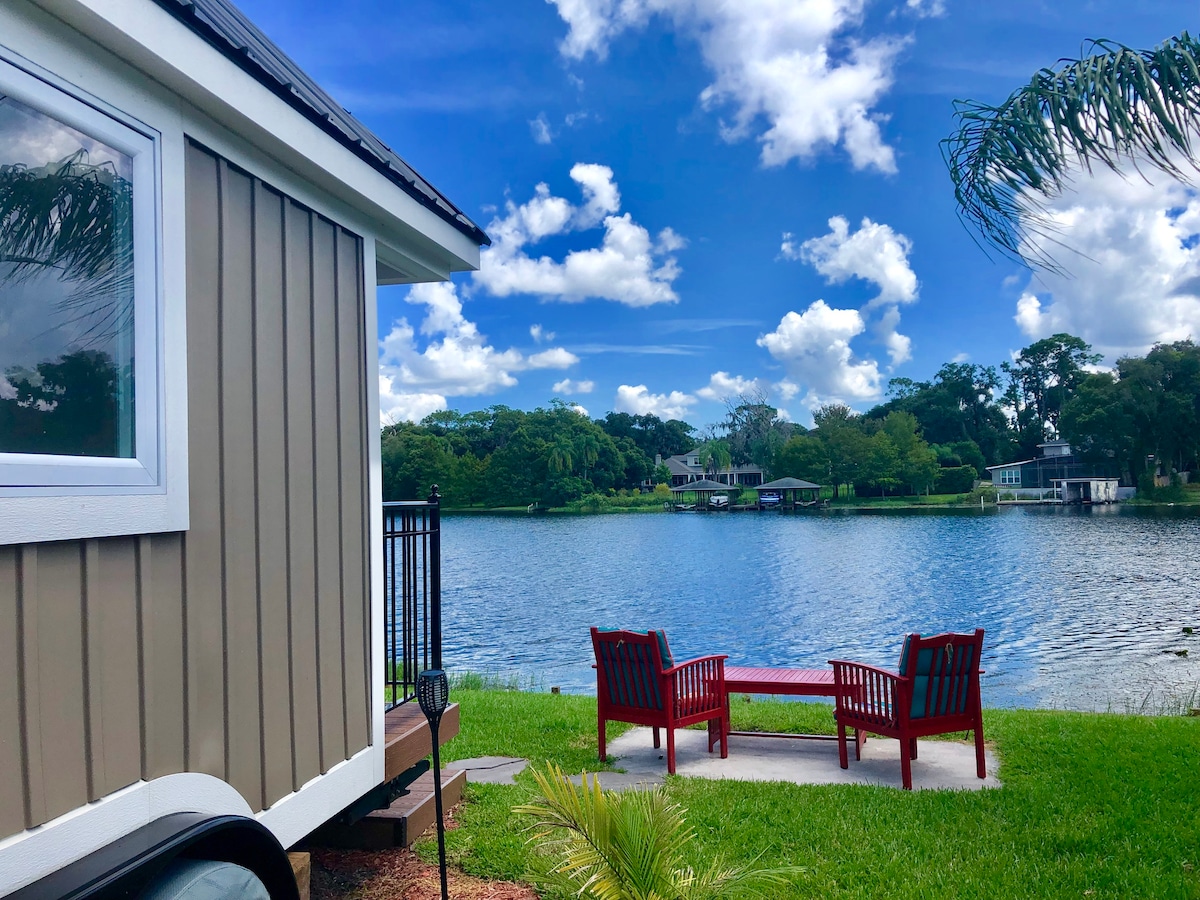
x: 154, y: 41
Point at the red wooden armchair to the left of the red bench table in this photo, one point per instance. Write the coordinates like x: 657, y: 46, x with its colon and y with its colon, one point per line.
x: 639, y: 682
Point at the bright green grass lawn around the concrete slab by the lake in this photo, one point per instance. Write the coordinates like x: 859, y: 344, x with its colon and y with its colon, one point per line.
x: 1093, y: 807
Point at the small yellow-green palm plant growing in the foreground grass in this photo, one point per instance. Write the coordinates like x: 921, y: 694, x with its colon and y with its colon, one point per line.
x: 603, y: 845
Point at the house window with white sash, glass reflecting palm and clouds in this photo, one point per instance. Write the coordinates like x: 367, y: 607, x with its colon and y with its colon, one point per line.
x: 79, y: 297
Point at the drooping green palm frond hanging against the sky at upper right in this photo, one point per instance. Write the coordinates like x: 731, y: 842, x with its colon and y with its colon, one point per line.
x: 1117, y: 106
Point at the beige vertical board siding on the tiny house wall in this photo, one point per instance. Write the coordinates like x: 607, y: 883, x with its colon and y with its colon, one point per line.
x: 242, y: 647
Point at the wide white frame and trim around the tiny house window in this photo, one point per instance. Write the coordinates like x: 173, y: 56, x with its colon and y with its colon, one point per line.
x: 51, y: 497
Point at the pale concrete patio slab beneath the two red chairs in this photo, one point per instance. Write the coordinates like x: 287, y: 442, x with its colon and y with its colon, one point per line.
x: 941, y: 764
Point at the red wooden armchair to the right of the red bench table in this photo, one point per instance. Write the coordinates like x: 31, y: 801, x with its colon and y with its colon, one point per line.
x: 937, y: 692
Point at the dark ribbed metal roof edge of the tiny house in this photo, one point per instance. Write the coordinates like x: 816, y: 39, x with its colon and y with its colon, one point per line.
x: 230, y: 32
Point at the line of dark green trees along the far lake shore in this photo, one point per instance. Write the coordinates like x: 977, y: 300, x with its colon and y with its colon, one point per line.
x: 935, y: 436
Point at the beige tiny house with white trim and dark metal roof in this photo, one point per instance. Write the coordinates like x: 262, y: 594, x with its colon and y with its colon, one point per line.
x: 191, y: 544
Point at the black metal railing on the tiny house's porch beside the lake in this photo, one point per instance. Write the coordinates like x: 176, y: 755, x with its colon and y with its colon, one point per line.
x: 412, y: 554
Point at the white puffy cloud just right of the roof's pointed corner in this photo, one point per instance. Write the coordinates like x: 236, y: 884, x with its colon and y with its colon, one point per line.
x: 629, y: 267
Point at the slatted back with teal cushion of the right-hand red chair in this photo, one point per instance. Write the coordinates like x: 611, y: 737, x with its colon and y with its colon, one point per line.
x: 944, y: 673
